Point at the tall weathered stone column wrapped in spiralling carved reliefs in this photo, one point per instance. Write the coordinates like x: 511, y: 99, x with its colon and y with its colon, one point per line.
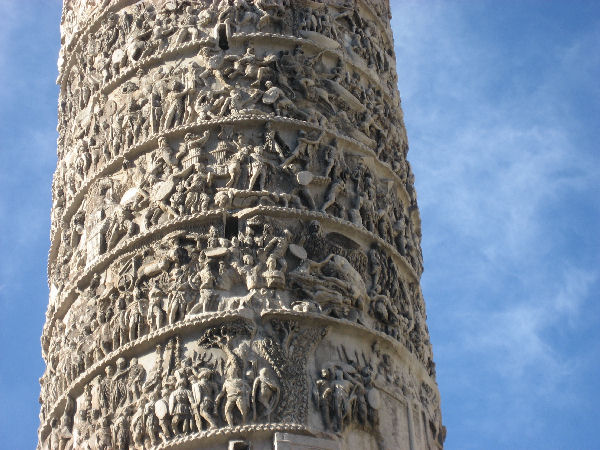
x: 235, y: 245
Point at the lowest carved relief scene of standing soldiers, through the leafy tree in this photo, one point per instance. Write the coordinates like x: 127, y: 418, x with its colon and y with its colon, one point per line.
x: 234, y: 374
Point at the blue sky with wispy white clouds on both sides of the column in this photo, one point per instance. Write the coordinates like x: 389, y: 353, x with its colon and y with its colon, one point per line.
x: 502, y: 107
